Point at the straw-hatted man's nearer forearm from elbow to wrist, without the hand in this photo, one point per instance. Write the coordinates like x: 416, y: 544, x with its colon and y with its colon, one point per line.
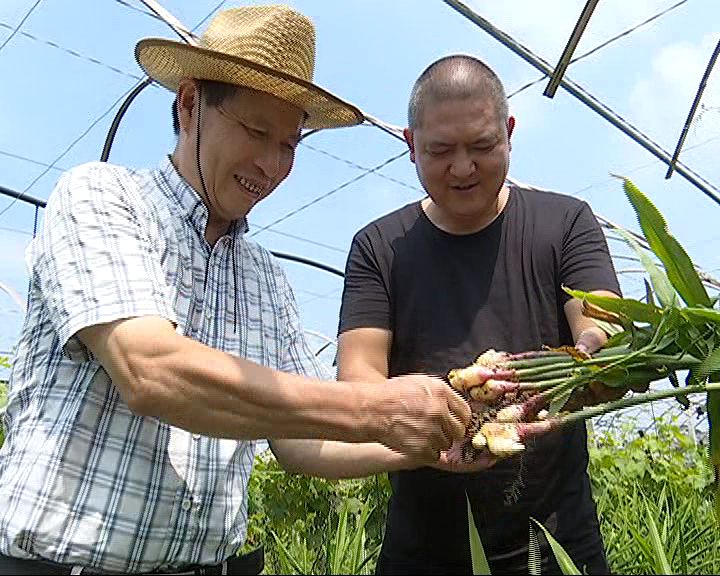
x: 203, y: 390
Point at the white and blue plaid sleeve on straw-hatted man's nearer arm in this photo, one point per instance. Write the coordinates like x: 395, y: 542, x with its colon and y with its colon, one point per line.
x: 95, y: 261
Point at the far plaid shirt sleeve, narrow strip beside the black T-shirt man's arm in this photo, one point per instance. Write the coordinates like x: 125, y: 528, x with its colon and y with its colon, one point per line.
x: 298, y: 358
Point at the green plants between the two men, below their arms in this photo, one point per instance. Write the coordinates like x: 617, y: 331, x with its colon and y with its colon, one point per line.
x: 315, y: 526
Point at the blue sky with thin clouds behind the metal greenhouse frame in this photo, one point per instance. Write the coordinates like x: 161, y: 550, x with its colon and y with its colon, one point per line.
x: 370, y: 52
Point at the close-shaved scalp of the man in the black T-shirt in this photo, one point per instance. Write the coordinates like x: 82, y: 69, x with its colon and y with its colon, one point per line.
x: 456, y: 77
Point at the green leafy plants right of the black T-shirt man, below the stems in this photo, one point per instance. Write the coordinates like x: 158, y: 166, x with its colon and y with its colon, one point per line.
x: 663, y: 475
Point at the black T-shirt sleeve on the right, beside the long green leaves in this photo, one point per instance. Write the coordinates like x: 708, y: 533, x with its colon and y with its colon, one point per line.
x: 586, y: 263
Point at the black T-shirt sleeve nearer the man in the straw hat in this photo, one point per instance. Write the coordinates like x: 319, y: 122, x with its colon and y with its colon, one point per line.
x: 366, y: 295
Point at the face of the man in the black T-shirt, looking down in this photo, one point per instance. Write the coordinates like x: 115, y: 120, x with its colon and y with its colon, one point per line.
x: 461, y: 150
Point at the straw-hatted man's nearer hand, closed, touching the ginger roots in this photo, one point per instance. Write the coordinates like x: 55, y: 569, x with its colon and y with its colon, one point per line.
x: 421, y: 416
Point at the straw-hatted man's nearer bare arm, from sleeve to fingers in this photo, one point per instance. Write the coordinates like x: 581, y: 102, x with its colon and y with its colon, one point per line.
x: 187, y: 384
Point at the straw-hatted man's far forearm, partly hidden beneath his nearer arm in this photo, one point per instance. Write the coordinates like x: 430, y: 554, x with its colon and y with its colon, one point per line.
x: 334, y: 460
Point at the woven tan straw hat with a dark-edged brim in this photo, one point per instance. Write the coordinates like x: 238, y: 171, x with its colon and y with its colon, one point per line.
x: 268, y: 48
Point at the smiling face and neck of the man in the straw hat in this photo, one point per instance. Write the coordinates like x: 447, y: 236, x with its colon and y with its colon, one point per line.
x: 247, y: 148
